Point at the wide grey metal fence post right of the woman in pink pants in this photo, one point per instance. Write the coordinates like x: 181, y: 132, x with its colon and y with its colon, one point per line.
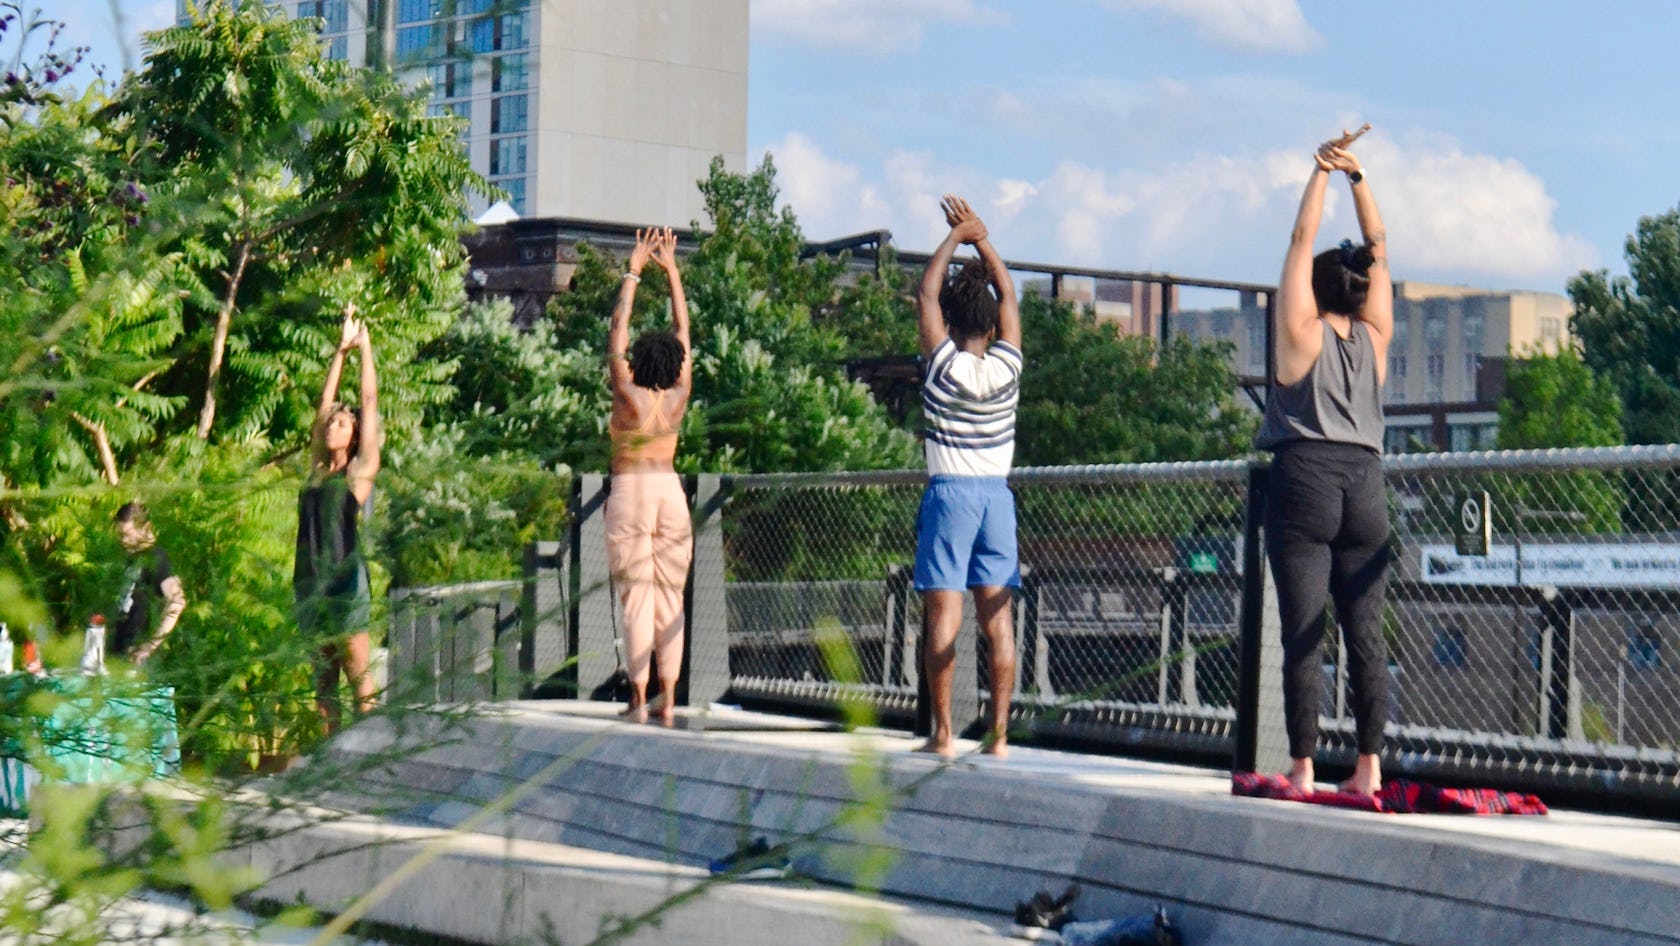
x: 706, y: 656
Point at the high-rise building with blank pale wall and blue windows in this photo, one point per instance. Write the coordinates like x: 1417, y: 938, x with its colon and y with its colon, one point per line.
x: 594, y: 110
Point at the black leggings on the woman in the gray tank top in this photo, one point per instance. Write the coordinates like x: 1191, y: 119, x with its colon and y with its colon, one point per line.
x: 1326, y: 530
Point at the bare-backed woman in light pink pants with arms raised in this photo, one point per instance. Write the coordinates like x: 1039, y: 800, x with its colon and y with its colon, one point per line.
x: 649, y: 535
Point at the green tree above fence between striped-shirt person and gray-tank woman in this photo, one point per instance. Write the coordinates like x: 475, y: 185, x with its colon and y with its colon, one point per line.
x: 1093, y: 396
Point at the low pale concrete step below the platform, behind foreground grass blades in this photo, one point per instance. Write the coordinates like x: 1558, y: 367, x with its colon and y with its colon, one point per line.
x: 493, y: 890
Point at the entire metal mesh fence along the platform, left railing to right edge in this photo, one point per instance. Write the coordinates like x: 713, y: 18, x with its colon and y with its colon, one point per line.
x: 1546, y: 661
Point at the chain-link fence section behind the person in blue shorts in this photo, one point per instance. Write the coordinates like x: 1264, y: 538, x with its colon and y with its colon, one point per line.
x: 1126, y: 621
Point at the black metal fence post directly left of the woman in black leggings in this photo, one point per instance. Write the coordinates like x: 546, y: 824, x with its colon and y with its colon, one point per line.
x: 1259, y: 732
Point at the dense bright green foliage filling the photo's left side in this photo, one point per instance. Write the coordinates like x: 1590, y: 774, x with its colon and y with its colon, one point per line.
x: 197, y: 234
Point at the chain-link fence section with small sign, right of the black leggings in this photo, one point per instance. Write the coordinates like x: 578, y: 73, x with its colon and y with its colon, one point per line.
x: 1550, y: 654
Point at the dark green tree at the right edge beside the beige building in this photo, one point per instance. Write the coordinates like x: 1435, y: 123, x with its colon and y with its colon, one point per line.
x: 1630, y: 330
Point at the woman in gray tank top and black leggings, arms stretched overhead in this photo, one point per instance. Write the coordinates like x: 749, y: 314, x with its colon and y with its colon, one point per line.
x: 1326, y: 518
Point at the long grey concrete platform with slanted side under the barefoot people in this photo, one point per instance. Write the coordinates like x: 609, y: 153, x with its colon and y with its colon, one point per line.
x: 952, y: 846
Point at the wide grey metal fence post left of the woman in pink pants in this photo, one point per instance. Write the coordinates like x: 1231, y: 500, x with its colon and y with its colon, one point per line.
x: 594, y: 636
